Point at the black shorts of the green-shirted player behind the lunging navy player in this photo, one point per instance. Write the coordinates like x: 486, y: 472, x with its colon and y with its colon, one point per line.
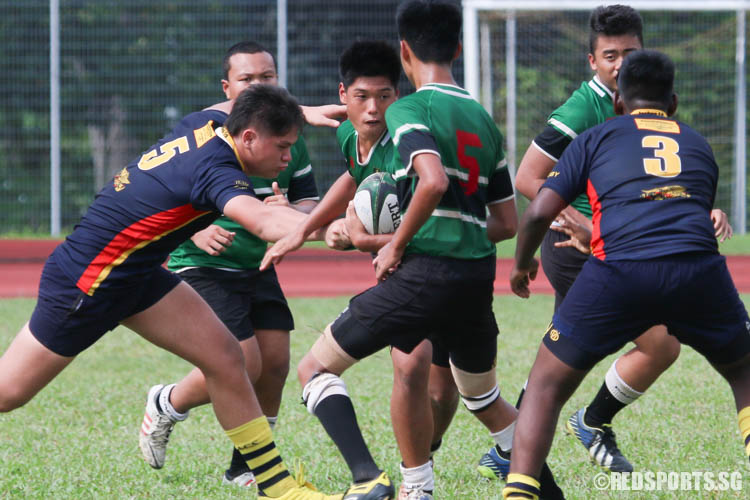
x: 245, y: 301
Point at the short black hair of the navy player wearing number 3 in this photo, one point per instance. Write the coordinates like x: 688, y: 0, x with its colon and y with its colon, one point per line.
x: 646, y: 77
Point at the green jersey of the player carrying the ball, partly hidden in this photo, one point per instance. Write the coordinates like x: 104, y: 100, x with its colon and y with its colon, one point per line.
x: 378, y: 160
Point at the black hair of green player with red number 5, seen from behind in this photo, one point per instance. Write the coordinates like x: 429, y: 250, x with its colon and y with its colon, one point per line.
x: 432, y: 28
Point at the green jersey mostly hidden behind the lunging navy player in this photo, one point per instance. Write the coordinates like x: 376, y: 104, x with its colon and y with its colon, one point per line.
x: 296, y: 181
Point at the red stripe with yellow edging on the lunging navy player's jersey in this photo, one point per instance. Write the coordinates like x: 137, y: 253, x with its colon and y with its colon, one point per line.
x: 132, y: 238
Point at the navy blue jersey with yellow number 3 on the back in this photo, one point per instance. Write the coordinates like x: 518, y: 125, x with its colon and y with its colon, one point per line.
x: 651, y: 182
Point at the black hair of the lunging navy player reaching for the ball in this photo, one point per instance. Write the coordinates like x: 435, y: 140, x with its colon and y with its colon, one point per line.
x: 267, y: 107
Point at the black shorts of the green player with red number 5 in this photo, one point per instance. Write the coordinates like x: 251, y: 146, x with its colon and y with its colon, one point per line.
x: 447, y: 299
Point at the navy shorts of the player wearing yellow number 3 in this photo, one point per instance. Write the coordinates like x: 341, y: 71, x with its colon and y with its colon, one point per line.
x: 612, y: 303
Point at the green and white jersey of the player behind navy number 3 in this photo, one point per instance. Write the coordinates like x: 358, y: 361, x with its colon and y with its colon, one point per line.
x: 590, y: 105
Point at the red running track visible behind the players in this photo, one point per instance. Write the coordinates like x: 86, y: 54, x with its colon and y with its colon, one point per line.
x: 306, y: 273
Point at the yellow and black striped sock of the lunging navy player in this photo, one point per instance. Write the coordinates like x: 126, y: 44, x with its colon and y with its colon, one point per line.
x: 255, y: 442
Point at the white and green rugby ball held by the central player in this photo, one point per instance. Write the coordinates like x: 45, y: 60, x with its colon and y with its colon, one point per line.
x: 376, y: 203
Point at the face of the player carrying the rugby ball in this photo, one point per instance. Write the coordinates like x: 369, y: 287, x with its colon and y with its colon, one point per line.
x: 366, y: 100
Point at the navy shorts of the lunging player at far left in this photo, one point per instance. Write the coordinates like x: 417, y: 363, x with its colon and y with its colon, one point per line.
x: 67, y: 321
